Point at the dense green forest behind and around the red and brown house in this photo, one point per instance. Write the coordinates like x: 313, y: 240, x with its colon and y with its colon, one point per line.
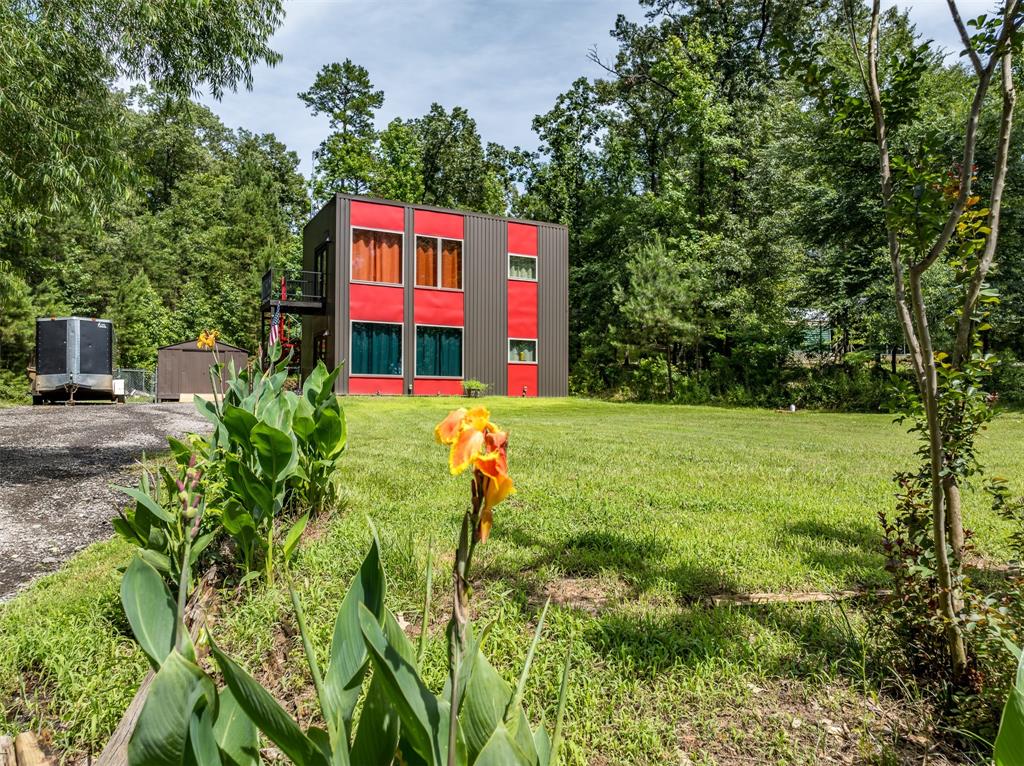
x: 727, y: 242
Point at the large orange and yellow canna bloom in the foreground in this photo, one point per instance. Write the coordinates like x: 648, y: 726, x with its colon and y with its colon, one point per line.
x: 476, y: 442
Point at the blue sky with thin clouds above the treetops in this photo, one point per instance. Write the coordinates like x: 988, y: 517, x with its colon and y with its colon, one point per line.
x: 505, y: 61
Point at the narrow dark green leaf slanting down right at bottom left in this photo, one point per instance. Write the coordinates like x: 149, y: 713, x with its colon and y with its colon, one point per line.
x: 268, y: 715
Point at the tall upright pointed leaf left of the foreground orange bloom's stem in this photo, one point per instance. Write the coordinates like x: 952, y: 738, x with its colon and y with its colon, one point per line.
x: 349, y: 653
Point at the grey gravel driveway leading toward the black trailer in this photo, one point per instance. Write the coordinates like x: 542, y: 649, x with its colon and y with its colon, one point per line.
x: 57, y: 464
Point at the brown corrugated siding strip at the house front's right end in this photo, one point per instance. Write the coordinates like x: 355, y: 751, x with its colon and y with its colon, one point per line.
x: 552, y: 265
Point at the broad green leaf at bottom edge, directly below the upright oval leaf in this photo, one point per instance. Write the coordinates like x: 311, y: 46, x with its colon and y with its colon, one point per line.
x: 161, y: 734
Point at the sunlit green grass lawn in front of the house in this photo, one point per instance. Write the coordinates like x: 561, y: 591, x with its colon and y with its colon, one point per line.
x: 626, y: 515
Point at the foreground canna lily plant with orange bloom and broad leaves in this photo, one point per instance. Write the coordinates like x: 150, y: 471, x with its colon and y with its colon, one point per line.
x: 395, y: 718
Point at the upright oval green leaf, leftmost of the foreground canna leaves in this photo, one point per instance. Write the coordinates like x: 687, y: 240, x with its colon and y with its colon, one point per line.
x: 151, y: 611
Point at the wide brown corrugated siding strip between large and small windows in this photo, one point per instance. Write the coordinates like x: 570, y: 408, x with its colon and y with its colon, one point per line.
x: 486, y: 279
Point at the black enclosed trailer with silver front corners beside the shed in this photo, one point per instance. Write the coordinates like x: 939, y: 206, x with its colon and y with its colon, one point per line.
x: 74, y: 360
